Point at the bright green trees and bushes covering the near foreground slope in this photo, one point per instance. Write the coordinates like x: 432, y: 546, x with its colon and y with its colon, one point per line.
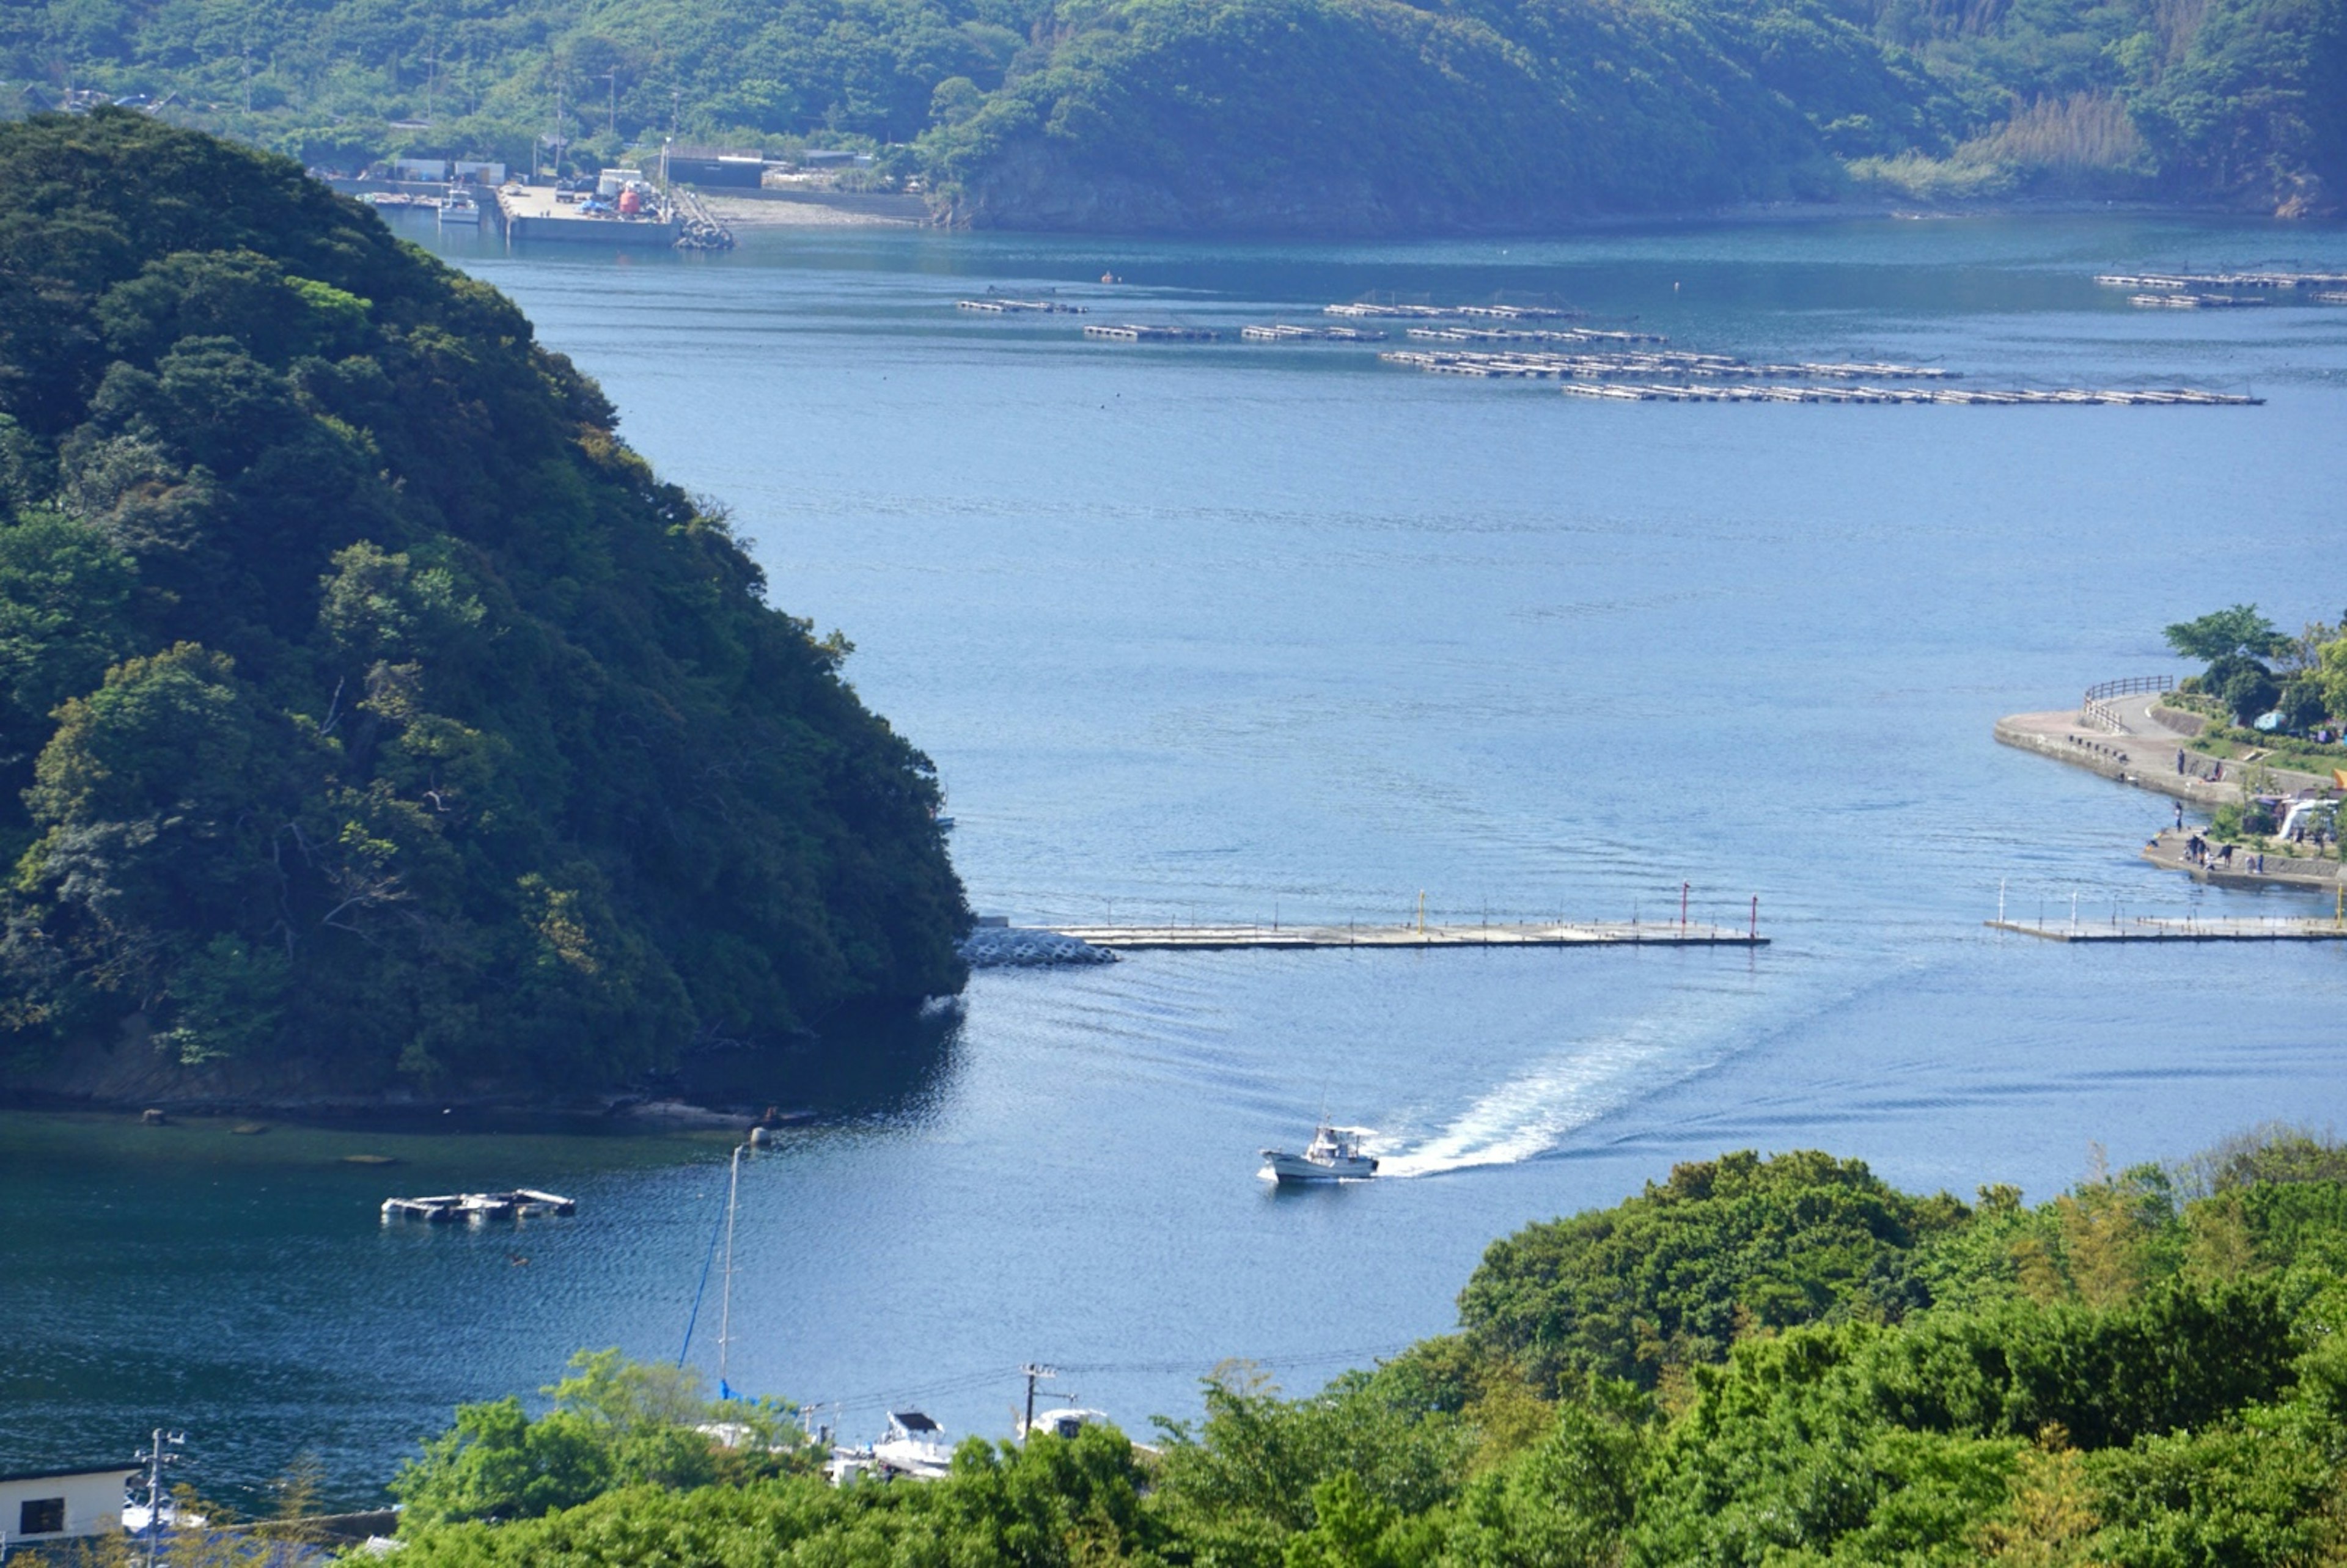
x: 1754, y: 1363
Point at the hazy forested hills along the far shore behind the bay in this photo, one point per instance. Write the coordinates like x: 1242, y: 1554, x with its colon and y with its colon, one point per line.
x: 1283, y: 116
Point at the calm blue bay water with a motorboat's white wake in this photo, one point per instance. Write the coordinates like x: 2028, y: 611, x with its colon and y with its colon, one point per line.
x: 1243, y: 633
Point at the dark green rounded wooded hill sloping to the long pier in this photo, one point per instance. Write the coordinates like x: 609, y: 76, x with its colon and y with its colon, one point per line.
x: 367, y: 710
